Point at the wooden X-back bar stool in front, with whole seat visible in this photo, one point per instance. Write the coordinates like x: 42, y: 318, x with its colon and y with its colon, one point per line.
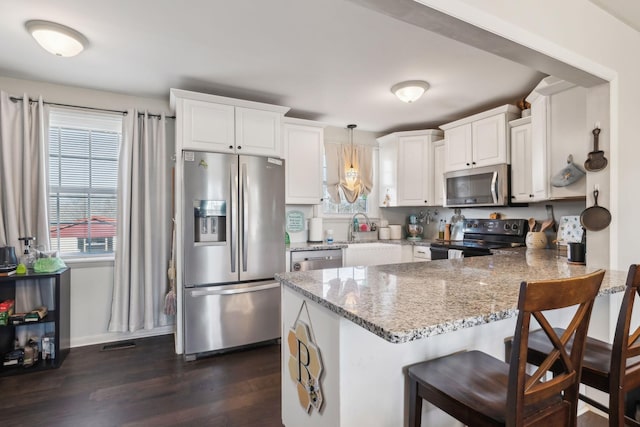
x: 480, y: 390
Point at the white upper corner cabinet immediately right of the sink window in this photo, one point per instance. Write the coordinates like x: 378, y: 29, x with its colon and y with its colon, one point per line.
x: 406, y: 168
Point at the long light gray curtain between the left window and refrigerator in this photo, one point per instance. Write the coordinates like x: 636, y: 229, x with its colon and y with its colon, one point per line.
x: 143, y: 246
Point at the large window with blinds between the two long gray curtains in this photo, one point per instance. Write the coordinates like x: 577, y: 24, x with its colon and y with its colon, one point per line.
x: 83, y: 172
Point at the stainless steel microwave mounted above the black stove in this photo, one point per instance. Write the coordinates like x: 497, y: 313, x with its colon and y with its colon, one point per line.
x: 484, y: 186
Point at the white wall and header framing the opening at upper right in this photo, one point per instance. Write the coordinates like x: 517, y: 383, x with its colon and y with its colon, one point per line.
x: 581, y: 34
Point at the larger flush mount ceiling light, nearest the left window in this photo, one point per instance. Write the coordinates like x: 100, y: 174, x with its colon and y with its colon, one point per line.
x: 56, y: 38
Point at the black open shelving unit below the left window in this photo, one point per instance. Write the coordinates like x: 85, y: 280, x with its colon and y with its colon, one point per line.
x: 58, y: 315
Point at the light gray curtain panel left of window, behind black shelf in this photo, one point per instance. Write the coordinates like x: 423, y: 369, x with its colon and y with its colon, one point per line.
x: 23, y: 184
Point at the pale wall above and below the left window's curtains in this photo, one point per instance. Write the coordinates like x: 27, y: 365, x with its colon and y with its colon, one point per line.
x: 91, y: 281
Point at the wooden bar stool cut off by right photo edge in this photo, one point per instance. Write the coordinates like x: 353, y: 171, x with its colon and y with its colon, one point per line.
x: 613, y: 369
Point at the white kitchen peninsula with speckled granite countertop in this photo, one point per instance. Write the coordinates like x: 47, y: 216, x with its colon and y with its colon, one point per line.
x: 369, y: 323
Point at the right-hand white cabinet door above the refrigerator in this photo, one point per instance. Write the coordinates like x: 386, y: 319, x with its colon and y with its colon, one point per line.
x: 258, y: 132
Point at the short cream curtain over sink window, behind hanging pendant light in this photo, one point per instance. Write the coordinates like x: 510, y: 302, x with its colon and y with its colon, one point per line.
x: 339, y: 157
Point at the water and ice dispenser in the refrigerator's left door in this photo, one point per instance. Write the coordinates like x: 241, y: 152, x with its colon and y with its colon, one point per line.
x: 210, y: 222
